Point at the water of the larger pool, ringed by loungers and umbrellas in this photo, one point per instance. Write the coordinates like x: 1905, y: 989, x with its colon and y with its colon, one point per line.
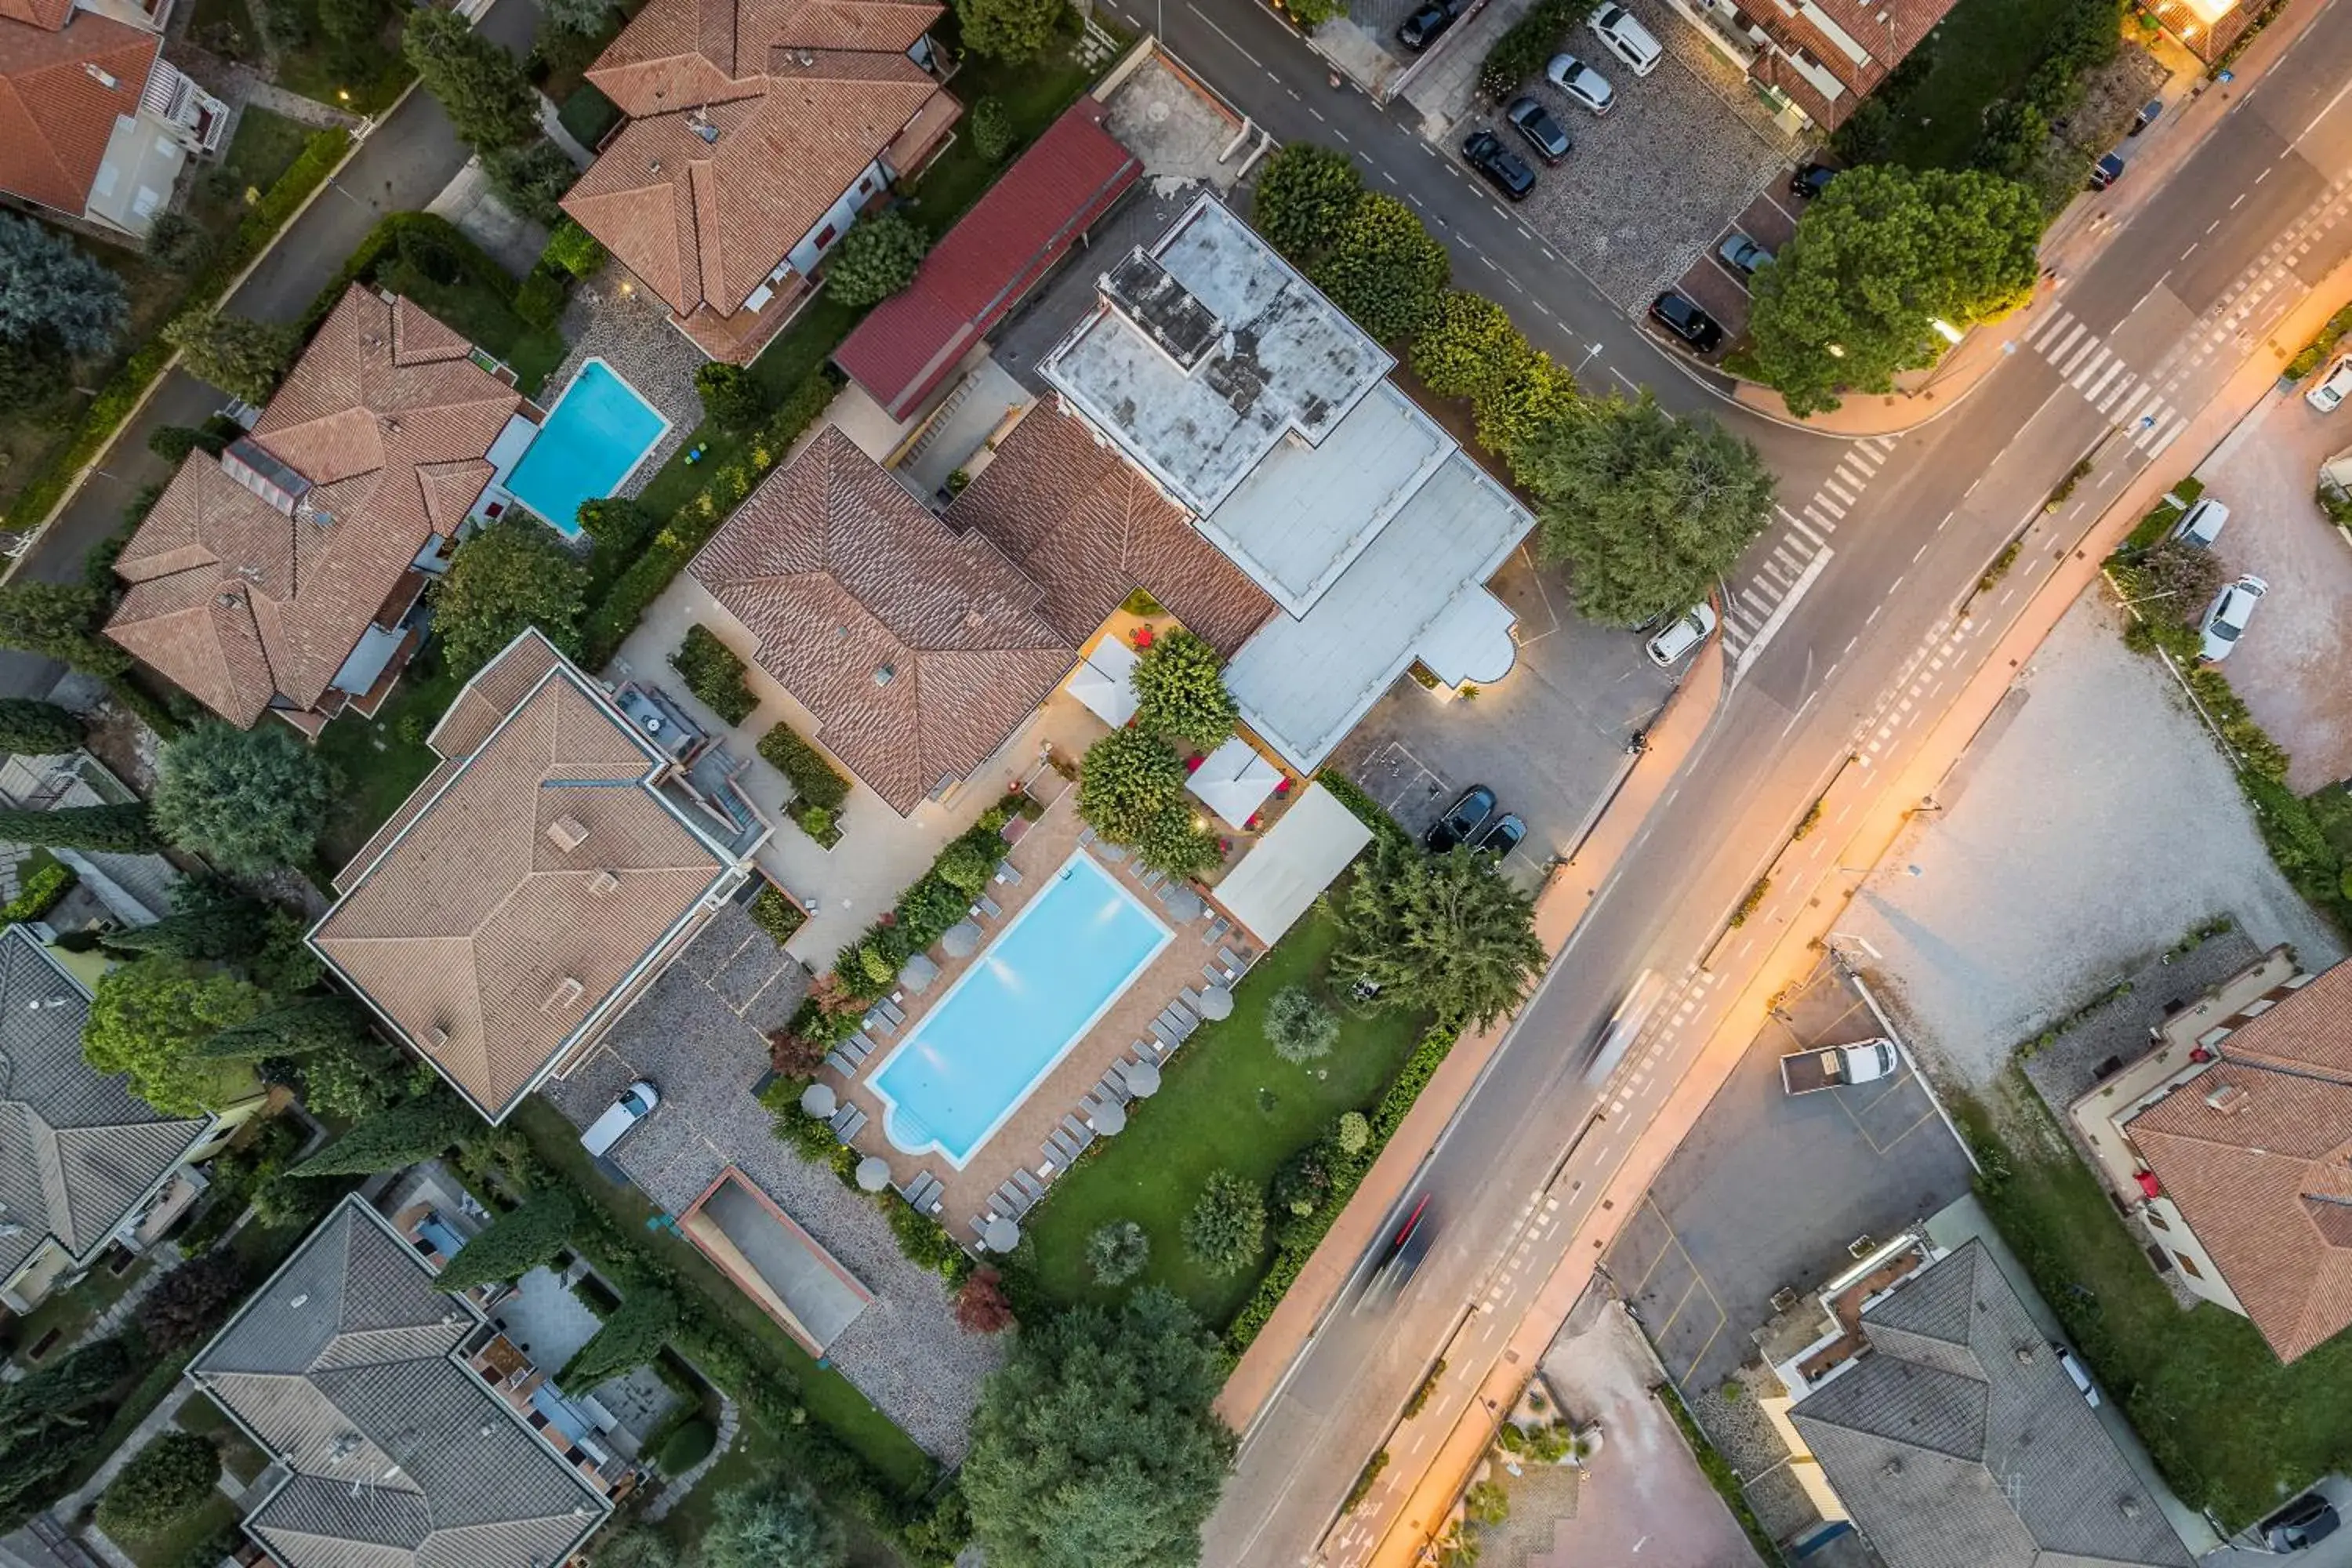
x: 1017, y: 1012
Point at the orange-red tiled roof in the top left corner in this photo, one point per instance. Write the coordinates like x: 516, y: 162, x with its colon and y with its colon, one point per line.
x: 62, y: 88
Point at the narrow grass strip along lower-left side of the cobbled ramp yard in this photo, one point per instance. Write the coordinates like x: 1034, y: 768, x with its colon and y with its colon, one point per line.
x: 827, y: 1395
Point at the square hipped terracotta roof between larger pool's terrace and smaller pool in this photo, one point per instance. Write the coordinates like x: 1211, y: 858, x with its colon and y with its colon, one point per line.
x: 916, y: 650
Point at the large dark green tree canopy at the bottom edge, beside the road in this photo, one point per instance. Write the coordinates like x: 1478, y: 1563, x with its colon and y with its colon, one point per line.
x: 1097, y: 1445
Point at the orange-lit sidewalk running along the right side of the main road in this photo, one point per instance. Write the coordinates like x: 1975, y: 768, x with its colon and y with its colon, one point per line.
x: 1864, y: 815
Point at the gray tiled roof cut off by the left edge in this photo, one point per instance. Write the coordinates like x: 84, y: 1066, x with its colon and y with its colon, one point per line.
x: 79, y: 1151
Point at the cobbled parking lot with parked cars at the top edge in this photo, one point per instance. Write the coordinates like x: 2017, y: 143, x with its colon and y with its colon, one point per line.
x: 1655, y: 182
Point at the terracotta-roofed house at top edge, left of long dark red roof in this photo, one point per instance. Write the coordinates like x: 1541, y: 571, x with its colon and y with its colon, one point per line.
x: 754, y: 140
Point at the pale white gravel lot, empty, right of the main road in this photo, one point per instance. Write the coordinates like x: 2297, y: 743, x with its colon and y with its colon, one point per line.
x: 2085, y: 833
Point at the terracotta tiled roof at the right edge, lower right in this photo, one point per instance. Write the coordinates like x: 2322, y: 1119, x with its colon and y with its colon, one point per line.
x: 2266, y: 1177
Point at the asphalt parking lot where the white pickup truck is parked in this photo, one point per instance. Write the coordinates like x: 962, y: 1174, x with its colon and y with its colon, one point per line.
x: 1775, y: 1191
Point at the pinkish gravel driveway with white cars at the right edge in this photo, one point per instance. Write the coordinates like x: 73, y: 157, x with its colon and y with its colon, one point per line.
x: 2292, y: 664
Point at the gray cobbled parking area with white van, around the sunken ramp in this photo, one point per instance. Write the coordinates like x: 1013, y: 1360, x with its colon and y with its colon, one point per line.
x: 697, y: 1036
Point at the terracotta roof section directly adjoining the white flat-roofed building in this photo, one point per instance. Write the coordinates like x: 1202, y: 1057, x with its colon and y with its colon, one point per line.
x: 1090, y: 530
